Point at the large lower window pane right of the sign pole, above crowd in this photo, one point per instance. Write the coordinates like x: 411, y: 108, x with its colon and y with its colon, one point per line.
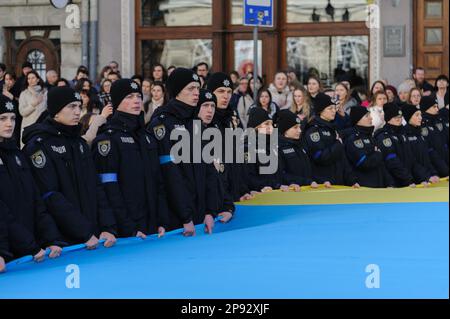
x: 332, y: 58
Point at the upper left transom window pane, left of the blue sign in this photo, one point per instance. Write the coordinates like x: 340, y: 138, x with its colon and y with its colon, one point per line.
x: 176, y: 12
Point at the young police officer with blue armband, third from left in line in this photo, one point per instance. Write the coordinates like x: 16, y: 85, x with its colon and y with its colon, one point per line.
x: 126, y: 157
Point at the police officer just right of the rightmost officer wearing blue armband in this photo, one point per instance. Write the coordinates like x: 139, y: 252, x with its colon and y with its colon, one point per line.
x: 418, y: 145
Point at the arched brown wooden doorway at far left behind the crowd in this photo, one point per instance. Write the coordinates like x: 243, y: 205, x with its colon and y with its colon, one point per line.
x: 40, y: 52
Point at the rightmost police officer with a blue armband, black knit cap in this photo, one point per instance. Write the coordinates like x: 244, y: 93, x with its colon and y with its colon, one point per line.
x: 397, y: 154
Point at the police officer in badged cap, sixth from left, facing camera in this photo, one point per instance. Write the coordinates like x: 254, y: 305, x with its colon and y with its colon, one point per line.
x: 225, y: 118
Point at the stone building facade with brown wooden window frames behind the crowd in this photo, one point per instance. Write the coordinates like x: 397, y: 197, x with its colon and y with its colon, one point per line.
x: 326, y: 37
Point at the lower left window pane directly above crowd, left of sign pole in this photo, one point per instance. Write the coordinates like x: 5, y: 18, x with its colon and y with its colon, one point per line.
x: 181, y: 53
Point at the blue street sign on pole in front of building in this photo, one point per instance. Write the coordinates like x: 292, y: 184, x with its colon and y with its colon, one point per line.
x: 258, y: 13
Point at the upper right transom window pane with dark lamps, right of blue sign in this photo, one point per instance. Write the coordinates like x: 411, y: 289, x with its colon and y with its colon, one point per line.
x: 326, y: 11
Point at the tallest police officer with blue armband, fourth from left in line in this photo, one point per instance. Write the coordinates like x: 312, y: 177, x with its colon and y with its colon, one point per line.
x: 191, y: 192
